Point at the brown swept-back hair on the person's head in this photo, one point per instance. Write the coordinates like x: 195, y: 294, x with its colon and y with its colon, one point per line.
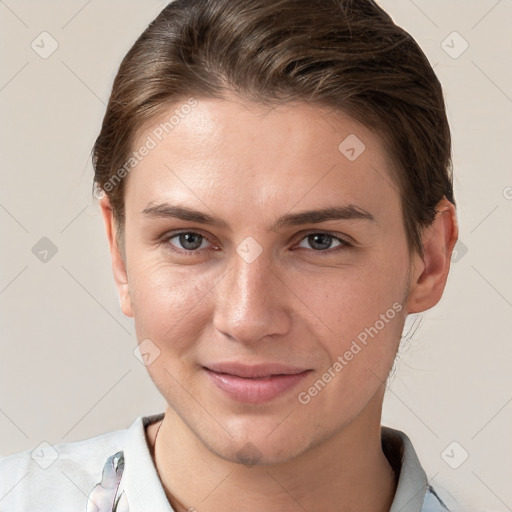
x: 345, y: 54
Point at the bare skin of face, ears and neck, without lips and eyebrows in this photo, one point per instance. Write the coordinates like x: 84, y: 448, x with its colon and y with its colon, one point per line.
x: 294, y: 304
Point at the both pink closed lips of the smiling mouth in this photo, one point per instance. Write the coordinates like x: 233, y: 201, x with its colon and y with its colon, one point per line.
x: 255, y: 384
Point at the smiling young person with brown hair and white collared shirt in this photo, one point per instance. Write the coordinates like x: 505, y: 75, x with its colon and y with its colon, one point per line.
x: 276, y: 189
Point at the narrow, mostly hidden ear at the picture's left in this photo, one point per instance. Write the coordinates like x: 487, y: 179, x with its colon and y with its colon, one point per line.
x: 118, y: 261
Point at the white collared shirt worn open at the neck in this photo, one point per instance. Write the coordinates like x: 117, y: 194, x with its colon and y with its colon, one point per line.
x: 117, y: 469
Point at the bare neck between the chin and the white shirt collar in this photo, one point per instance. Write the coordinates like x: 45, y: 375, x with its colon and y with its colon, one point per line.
x: 348, y: 472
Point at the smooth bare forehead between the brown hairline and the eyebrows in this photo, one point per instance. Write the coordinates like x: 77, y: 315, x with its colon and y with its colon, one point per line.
x: 236, y: 154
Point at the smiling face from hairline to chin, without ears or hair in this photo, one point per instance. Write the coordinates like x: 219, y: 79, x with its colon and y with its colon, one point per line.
x: 267, y: 272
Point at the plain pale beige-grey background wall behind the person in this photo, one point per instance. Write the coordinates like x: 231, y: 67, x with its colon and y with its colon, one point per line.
x: 67, y: 367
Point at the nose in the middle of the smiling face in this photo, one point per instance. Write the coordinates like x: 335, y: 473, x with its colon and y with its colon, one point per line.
x: 252, y: 301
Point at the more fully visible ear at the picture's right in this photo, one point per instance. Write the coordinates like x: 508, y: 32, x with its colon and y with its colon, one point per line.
x: 430, y: 272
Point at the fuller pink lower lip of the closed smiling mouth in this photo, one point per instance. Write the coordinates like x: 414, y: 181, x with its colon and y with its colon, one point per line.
x: 255, y: 391
